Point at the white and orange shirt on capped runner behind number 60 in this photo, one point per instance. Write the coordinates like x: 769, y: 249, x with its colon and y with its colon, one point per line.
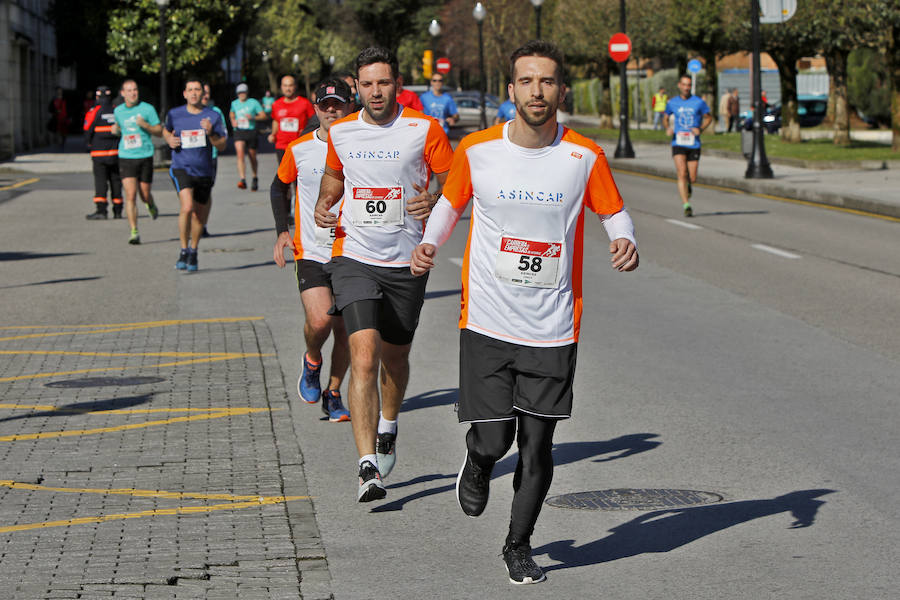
x: 303, y: 164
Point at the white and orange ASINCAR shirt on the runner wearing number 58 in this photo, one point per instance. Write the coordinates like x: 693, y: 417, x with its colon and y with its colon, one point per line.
x: 521, y: 274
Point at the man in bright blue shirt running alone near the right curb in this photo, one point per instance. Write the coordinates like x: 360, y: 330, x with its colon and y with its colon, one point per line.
x: 686, y: 117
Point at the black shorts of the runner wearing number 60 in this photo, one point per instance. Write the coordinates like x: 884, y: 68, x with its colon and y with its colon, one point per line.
x: 397, y: 294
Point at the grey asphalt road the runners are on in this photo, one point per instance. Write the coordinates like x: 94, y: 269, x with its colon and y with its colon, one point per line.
x: 753, y: 355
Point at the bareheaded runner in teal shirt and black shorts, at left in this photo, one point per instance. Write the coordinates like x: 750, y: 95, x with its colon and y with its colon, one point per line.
x: 135, y: 122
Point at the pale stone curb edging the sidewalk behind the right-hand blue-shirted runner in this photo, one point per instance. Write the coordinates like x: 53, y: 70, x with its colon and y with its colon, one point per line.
x: 769, y: 187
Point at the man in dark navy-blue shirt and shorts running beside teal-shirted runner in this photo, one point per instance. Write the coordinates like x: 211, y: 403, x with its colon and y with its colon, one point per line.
x: 192, y: 131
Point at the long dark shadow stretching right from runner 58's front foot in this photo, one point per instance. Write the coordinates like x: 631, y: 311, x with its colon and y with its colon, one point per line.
x: 665, y: 530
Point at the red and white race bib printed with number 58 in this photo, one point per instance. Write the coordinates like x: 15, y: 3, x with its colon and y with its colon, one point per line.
x: 528, y: 263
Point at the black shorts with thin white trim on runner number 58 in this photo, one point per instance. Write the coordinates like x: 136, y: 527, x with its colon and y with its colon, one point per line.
x: 498, y: 379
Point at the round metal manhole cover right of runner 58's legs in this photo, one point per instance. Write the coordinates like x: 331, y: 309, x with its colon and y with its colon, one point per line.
x: 628, y: 499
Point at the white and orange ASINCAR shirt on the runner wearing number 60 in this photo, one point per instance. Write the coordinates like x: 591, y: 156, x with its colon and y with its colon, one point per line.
x: 380, y: 164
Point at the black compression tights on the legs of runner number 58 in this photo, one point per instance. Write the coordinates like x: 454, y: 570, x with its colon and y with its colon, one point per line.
x: 488, y: 442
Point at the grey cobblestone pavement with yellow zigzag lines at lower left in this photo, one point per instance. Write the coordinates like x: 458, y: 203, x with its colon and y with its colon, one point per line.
x: 151, y: 460
